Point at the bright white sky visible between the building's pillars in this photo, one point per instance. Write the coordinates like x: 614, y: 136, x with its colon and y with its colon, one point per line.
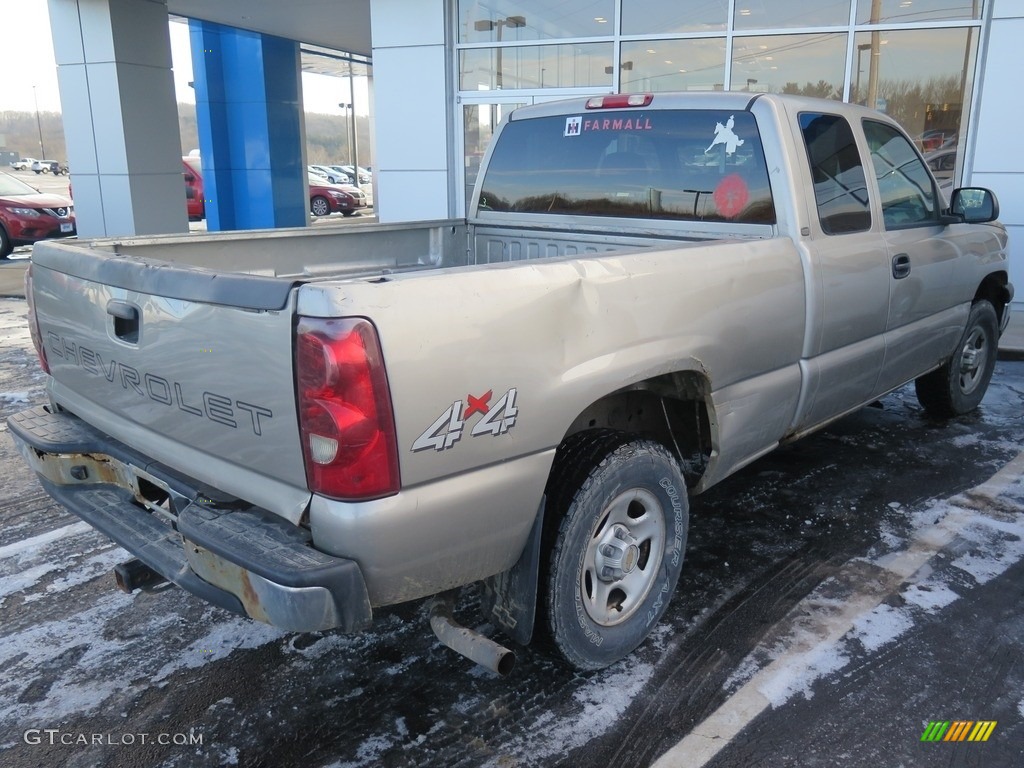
x: 33, y: 56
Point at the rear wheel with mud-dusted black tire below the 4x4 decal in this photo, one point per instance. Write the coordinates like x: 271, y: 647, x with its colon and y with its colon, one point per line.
x: 616, y: 533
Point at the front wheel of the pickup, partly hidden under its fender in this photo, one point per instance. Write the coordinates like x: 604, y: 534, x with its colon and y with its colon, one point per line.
x: 960, y: 385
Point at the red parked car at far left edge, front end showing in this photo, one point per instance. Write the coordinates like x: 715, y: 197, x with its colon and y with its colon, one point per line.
x: 28, y: 216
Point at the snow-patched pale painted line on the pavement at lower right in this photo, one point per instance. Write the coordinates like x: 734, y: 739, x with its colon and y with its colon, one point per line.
x: 823, y: 635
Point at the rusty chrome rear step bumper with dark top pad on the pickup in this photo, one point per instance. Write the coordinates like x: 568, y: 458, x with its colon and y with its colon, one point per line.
x: 242, y: 559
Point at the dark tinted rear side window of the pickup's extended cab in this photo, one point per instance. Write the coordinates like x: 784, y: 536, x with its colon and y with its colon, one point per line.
x: 840, y: 185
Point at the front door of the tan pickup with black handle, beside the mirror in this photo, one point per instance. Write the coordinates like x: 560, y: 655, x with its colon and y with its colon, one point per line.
x: 926, y: 310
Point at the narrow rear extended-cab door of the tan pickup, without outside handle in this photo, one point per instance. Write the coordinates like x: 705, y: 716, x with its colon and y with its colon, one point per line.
x: 848, y: 288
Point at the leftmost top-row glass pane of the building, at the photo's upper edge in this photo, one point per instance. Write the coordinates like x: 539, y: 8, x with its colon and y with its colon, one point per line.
x: 495, y: 21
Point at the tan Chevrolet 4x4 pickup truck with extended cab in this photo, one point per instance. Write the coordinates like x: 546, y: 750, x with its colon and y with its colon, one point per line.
x: 652, y: 292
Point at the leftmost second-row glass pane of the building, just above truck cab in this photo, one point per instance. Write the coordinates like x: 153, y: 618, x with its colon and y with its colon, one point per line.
x: 536, y: 67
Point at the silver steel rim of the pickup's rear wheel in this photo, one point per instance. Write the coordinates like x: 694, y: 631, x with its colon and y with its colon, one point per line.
x: 624, y: 558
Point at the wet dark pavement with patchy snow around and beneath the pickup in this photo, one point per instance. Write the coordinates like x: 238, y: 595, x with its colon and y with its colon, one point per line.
x: 837, y: 598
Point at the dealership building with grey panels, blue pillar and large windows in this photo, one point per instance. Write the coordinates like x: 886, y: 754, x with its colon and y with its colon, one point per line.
x: 444, y: 73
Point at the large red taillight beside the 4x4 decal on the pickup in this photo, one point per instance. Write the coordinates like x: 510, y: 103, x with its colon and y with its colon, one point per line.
x: 346, y: 417
